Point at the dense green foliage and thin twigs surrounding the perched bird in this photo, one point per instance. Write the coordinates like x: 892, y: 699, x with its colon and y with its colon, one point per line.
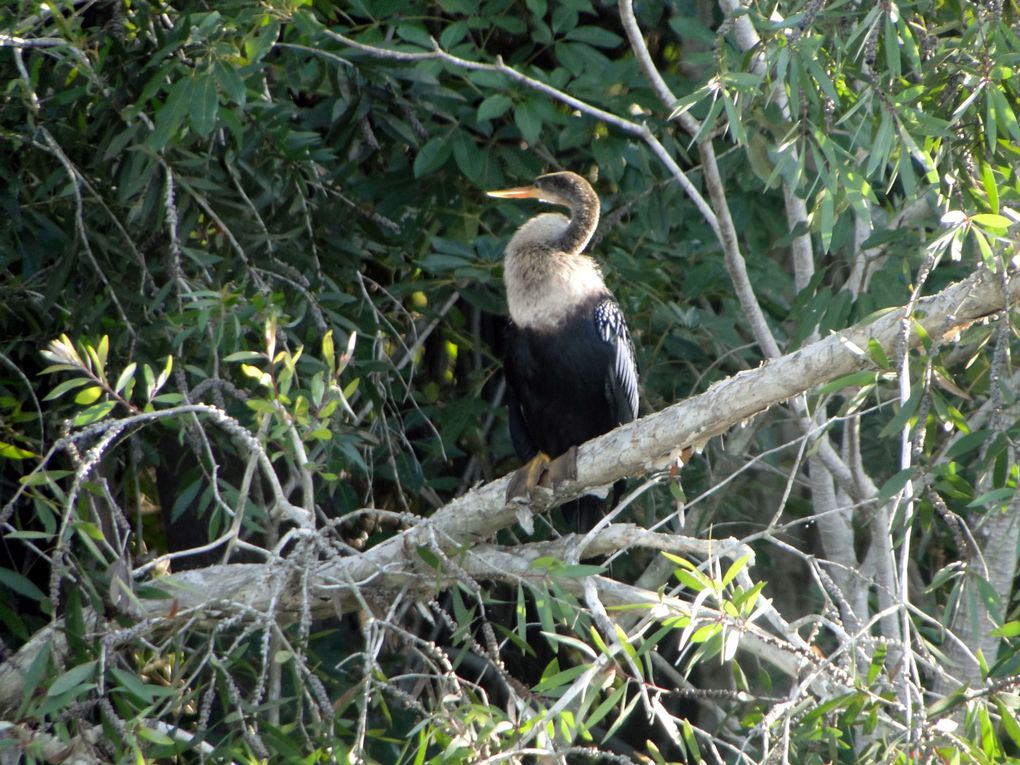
x: 251, y: 316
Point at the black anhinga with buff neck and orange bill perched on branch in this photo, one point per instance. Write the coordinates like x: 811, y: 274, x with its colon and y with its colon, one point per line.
x: 570, y: 363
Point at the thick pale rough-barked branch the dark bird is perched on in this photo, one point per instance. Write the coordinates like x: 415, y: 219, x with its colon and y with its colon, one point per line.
x: 647, y: 445
